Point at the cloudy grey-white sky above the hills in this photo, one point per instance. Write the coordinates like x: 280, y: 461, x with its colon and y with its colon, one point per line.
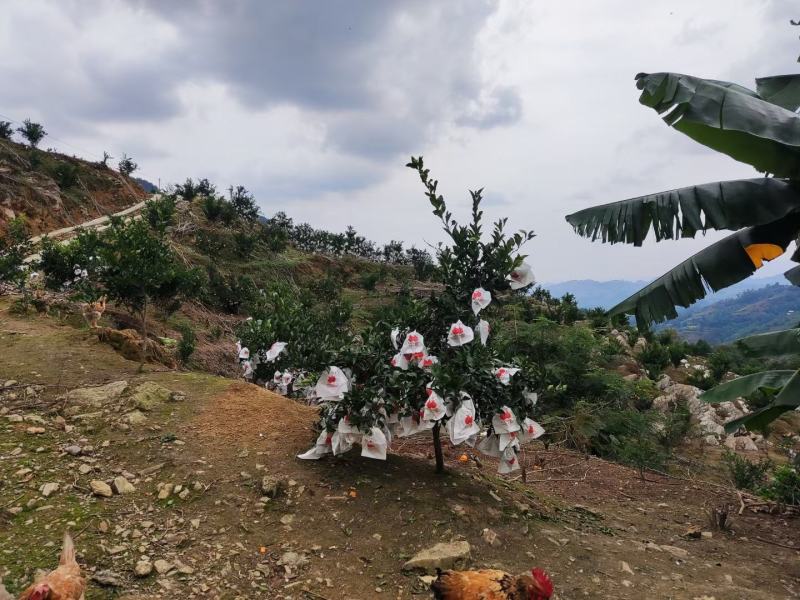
x: 316, y: 106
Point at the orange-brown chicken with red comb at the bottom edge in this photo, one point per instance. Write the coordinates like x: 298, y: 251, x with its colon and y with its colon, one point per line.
x: 490, y: 584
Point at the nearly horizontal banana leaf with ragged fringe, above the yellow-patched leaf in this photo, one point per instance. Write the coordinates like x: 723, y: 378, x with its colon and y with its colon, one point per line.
x: 685, y: 211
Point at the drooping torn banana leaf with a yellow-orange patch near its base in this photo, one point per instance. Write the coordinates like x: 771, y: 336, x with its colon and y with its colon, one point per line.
x: 723, y: 263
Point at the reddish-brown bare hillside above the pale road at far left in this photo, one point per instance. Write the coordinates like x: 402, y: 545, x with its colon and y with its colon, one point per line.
x: 53, y: 190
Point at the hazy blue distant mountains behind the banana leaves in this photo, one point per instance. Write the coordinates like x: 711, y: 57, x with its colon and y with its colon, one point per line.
x: 754, y: 305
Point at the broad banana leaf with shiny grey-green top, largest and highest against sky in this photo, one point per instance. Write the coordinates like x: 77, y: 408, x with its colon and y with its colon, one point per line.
x: 728, y: 118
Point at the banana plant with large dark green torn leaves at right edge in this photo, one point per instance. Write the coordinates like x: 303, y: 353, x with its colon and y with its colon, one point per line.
x: 760, y: 128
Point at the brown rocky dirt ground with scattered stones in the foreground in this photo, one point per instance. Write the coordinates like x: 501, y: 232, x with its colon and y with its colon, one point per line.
x: 184, y: 484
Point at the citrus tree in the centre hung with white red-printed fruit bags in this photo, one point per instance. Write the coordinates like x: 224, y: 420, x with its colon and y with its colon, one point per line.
x: 433, y: 366
